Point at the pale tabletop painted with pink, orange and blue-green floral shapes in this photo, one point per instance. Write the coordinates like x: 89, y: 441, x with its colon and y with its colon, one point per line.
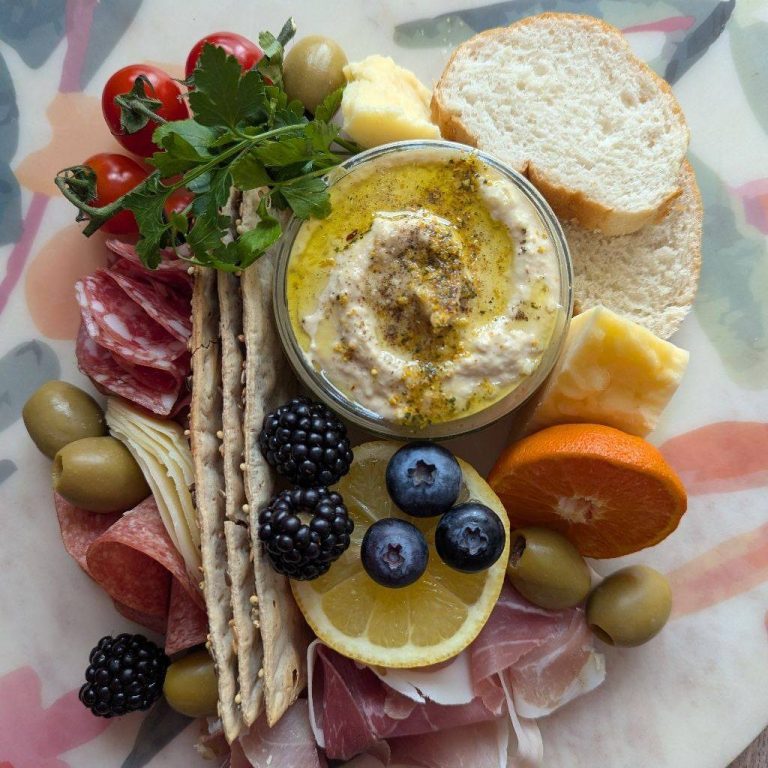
x: 698, y: 694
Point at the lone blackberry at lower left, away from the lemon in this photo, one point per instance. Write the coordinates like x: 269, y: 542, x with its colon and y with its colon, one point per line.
x: 125, y: 674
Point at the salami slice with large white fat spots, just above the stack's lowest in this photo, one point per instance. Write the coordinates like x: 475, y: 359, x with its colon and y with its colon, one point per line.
x: 124, y: 327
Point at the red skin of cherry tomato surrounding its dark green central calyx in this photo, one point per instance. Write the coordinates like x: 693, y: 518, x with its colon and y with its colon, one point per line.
x: 166, y: 90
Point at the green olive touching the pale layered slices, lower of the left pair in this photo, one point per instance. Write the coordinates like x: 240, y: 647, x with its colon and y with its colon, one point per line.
x: 99, y: 474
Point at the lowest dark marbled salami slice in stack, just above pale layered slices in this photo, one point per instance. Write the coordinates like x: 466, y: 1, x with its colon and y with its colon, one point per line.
x: 110, y: 377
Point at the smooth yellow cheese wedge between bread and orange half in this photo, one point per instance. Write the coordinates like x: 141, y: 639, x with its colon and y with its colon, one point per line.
x: 613, y: 372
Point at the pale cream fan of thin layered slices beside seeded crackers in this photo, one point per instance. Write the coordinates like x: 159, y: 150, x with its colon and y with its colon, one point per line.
x: 162, y: 452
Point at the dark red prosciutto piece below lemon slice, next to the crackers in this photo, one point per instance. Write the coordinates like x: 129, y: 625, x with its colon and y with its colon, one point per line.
x: 353, y: 708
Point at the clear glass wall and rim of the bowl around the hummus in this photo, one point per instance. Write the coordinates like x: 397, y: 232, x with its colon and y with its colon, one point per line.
x: 357, y: 413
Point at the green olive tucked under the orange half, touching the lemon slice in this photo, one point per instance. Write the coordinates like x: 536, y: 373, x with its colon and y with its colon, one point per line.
x: 545, y: 568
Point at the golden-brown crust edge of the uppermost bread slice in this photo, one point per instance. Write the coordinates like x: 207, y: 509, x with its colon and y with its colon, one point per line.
x: 566, y: 202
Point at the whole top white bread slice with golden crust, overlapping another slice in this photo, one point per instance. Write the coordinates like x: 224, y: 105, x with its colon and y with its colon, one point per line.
x: 562, y: 98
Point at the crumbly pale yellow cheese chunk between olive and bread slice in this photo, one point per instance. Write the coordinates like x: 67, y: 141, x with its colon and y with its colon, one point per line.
x: 384, y: 102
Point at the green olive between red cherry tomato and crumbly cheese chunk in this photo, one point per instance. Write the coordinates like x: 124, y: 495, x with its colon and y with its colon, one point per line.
x: 312, y: 69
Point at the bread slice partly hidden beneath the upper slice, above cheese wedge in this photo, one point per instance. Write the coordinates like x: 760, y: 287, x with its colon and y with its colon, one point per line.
x: 649, y: 276
